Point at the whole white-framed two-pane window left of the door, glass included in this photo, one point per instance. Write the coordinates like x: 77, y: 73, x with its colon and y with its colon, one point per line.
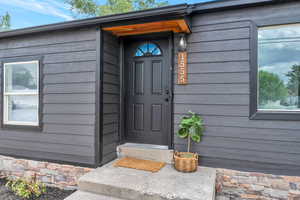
x: 21, y: 93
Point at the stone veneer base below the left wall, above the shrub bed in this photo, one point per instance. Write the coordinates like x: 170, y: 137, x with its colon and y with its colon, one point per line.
x: 52, y: 174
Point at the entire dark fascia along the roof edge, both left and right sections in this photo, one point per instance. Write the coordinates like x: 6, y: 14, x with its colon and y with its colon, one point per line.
x: 167, y: 12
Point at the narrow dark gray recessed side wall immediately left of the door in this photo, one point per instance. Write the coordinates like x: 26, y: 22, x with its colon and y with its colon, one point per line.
x: 111, y: 96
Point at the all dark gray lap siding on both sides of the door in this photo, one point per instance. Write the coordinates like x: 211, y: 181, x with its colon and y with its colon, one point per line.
x: 218, y: 89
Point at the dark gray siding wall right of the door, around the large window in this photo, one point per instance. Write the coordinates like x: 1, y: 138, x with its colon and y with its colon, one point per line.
x: 218, y: 89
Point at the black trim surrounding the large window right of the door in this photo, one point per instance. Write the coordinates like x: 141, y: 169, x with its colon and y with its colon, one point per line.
x: 254, y: 113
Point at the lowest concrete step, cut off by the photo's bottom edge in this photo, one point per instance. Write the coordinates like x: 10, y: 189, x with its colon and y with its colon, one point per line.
x: 80, y: 195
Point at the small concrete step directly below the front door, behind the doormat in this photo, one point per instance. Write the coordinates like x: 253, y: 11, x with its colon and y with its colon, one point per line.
x: 146, y: 151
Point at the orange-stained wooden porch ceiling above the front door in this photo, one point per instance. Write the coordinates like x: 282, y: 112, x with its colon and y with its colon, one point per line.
x: 176, y: 26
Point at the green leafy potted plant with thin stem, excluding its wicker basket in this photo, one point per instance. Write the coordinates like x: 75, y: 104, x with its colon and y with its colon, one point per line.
x: 192, y: 128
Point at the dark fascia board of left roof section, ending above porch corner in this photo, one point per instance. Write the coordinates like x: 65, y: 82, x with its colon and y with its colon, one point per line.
x: 150, y: 14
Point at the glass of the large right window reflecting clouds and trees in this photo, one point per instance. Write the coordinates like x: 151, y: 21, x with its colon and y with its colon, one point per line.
x: 279, y: 68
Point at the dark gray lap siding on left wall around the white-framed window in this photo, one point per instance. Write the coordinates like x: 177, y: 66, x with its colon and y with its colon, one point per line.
x: 69, y: 63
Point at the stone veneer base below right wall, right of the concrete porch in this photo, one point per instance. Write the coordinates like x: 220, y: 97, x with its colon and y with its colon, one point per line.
x: 236, y: 185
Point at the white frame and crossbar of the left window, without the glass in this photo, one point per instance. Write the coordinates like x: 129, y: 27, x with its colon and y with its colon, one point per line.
x: 7, y: 94
